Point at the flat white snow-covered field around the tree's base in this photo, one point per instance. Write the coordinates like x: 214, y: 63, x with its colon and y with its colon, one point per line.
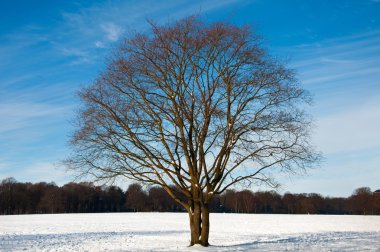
x: 170, y: 232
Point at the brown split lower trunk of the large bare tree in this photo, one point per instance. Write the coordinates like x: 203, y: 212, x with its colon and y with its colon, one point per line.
x: 199, y: 224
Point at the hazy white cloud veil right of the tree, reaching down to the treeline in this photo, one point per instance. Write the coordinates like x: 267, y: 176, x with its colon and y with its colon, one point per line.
x: 343, y: 73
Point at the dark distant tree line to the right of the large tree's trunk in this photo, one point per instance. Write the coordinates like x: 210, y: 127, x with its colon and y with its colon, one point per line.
x: 362, y: 201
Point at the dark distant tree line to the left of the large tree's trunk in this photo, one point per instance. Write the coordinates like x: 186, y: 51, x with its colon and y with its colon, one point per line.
x: 84, y: 197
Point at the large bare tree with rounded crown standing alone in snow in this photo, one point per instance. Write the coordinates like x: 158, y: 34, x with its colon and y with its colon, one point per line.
x: 194, y: 108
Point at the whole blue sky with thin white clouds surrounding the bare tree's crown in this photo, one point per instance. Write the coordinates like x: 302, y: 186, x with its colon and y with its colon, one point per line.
x: 49, y: 49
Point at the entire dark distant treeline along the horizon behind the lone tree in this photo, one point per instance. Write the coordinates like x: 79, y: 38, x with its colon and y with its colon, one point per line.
x: 37, y: 198
